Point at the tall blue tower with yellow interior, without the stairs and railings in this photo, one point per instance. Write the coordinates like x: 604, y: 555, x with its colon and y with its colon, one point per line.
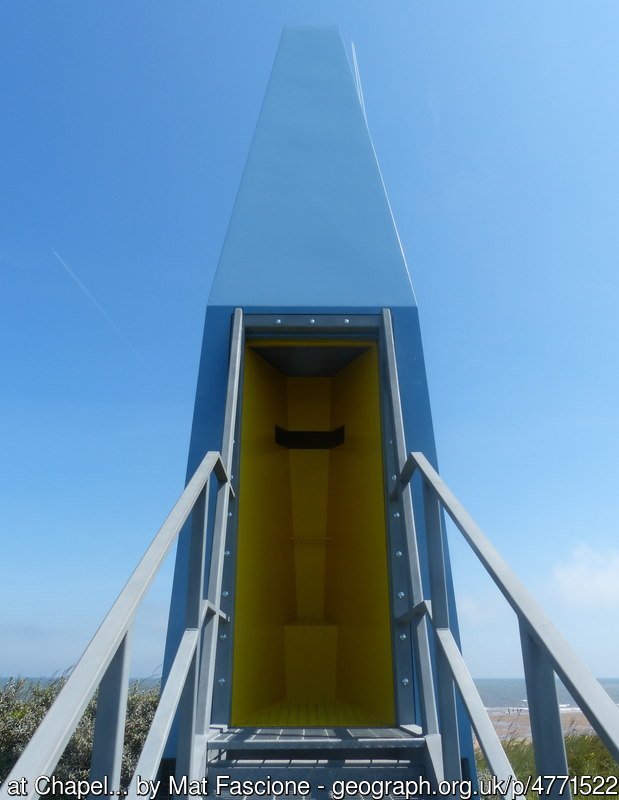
x: 322, y: 557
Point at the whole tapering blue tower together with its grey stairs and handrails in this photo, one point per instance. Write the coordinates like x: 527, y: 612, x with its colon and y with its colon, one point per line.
x: 312, y: 646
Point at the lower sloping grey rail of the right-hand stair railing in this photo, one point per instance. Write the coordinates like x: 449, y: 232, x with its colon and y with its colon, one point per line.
x: 481, y: 722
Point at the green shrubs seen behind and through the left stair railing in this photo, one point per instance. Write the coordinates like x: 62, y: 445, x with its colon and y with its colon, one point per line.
x: 23, y: 704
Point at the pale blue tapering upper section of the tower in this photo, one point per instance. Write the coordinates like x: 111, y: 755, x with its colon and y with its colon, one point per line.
x: 311, y: 226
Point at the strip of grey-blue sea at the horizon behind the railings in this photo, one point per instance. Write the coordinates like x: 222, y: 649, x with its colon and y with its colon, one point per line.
x: 497, y: 694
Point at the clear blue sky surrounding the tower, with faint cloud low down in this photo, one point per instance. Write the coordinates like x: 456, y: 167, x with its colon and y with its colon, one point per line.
x: 125, y: 126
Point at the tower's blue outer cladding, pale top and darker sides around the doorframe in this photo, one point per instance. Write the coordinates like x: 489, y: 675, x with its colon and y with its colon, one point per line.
x: 311, y: 232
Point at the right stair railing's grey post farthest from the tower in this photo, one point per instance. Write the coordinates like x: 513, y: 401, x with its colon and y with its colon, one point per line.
x: 544, y: 716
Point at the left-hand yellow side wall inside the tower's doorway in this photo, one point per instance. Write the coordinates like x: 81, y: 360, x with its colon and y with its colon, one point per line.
x: 264, y: 589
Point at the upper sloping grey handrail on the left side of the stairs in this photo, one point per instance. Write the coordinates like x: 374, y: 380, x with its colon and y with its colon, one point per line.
x: 51, y: 737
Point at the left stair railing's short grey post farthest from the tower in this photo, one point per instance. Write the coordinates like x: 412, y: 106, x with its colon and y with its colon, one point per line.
x: 109, y: 734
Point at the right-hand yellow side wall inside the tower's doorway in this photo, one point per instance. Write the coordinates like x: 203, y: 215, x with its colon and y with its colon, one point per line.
x: 358, y: 594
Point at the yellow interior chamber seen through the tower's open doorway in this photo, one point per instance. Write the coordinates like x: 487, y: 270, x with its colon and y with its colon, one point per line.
x: 312, y: 632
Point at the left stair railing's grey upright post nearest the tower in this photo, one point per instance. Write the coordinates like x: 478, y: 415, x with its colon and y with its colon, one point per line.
x: 193, y: 618
